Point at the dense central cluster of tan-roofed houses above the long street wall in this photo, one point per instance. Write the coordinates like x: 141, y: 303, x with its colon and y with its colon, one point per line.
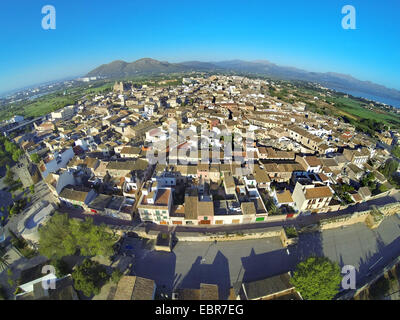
x: 95, y: 155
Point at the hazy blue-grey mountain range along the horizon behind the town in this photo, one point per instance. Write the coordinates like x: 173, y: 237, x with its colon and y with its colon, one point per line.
x: 120, y: 69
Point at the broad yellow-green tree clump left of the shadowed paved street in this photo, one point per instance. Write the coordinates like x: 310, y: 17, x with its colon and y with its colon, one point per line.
x: 62, y: 236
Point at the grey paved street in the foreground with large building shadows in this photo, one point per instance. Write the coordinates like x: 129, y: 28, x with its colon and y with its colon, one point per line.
x: 226, y: 263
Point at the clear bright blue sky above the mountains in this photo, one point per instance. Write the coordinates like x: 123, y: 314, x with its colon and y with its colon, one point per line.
x: 303, y: 34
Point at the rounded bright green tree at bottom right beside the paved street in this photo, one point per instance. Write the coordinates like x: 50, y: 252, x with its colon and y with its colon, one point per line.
x: 317, y: 278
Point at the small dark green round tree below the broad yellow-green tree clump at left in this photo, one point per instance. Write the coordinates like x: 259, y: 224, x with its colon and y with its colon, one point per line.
x: 89, y: 277
